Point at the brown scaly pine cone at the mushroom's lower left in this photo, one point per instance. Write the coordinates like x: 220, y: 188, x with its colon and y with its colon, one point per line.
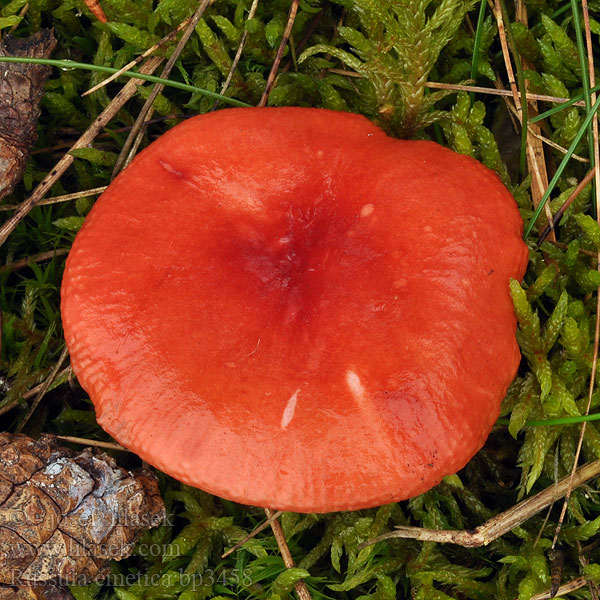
x: 63, y: 517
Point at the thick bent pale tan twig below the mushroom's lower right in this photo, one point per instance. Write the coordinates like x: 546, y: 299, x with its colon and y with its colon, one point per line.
x: 500, y: 524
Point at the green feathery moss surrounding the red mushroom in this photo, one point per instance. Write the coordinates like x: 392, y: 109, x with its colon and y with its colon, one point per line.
x: 395, y: 48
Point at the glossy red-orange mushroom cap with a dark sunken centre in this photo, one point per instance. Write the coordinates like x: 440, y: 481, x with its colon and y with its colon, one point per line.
x: 288, y: 308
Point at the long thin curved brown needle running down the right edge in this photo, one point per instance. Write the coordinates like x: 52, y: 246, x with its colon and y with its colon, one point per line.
x: 596, y: 170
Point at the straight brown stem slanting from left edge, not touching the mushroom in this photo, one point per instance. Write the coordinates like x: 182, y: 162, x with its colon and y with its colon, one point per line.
x: 86, y: 138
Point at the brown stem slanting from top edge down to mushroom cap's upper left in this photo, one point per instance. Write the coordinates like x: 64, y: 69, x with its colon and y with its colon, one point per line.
x: 135, y: 135
